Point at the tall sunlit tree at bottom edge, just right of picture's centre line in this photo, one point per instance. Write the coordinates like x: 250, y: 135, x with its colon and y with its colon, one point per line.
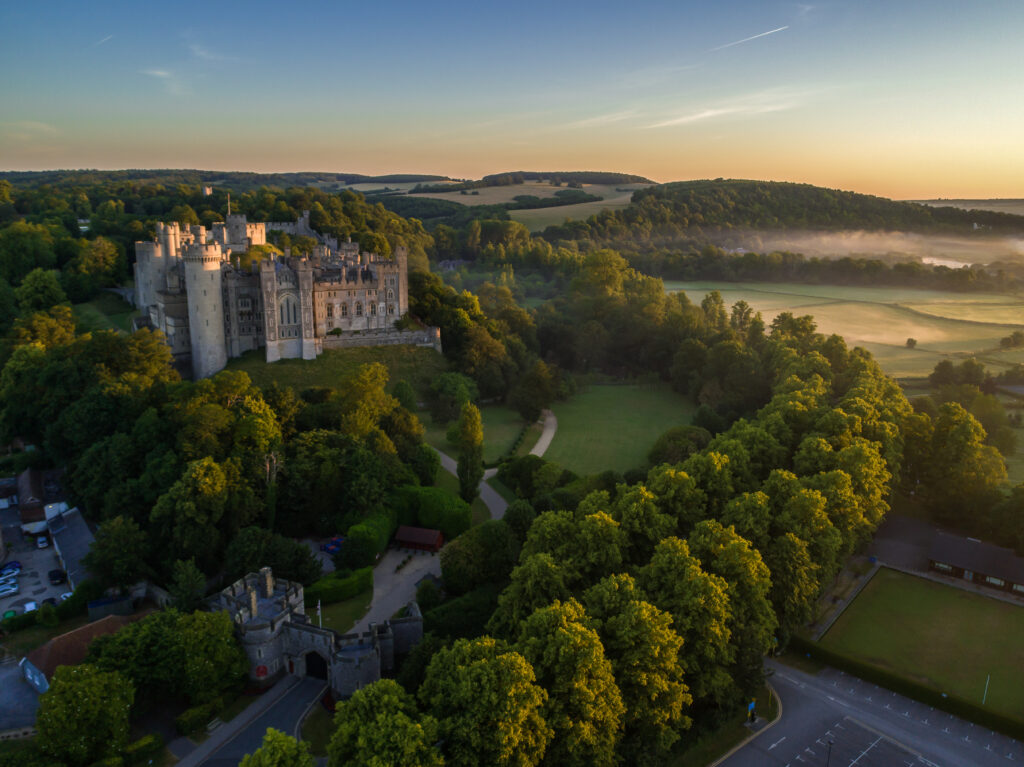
x: 584, y: 706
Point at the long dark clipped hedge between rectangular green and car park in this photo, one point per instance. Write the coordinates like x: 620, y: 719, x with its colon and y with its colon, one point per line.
x: 950, y: 704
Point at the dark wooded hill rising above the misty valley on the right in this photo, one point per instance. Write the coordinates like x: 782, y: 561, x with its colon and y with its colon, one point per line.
x: 689, y: 207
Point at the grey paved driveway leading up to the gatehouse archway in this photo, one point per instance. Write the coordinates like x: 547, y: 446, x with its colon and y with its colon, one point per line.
x: 283, y: 708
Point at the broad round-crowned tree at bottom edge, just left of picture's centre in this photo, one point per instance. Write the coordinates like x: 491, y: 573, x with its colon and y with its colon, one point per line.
x: 488, y: 704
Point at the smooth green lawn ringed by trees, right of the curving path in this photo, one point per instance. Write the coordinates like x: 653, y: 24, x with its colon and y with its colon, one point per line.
x: 614, y: 428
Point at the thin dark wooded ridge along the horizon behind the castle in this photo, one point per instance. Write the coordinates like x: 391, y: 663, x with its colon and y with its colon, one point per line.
x: 238, y: 181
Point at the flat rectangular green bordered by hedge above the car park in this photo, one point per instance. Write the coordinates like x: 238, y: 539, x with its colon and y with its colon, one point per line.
x: 941, y: 636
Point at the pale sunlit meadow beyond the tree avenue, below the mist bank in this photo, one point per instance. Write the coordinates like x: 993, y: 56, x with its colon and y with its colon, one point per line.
x: 882, y: 319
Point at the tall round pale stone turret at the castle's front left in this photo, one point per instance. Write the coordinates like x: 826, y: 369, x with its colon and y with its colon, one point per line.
x: 206, y: 312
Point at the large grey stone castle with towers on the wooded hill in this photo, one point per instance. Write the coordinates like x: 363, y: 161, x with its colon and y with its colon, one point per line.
x: 214, y: 304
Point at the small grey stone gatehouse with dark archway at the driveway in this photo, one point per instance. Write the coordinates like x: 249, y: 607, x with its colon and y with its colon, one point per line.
x: 279, y: 638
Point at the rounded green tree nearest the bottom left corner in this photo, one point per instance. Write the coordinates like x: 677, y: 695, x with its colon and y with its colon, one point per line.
x: 83, y: 717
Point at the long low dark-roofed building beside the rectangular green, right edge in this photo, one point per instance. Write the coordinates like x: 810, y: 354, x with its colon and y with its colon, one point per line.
x: 977, y: 562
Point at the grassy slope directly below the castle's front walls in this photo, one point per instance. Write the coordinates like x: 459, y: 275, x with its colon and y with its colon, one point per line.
x: 417, y: 365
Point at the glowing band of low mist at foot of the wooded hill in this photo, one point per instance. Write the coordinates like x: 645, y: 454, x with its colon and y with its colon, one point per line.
x: 948, y: 251
